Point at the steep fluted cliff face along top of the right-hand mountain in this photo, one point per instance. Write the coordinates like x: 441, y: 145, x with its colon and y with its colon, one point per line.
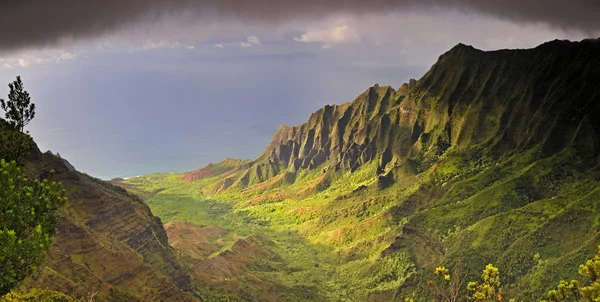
x: 507, y: 100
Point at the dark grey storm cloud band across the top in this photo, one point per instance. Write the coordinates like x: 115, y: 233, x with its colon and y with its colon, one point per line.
x: 38, y: 23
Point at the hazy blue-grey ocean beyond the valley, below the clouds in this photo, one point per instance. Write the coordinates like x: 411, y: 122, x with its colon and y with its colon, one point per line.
x: 124, y: 117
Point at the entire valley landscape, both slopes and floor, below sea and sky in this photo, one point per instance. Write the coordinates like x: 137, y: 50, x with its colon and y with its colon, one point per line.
x: 487, y: 167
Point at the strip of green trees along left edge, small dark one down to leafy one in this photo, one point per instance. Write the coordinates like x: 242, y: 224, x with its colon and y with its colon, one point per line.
x: 28, y: 207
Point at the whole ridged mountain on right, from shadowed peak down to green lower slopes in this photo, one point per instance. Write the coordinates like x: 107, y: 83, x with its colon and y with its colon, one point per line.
x: 491, y: 157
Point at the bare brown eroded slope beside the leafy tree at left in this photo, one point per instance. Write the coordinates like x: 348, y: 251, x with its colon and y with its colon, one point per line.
x: 108, y: 243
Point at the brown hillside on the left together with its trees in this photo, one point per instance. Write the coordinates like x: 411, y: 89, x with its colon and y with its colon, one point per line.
x: 109, y: 247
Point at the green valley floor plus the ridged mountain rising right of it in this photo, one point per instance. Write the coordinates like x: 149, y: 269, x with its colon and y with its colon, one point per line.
x: 491, y: 157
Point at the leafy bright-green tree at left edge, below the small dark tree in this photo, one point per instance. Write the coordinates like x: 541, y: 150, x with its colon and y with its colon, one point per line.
x: 28, y: 220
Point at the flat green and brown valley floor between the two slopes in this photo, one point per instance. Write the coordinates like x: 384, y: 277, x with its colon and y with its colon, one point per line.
x: 236, y: 252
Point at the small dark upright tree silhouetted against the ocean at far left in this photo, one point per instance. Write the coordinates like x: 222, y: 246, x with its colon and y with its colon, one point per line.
x: 19, y: 108
